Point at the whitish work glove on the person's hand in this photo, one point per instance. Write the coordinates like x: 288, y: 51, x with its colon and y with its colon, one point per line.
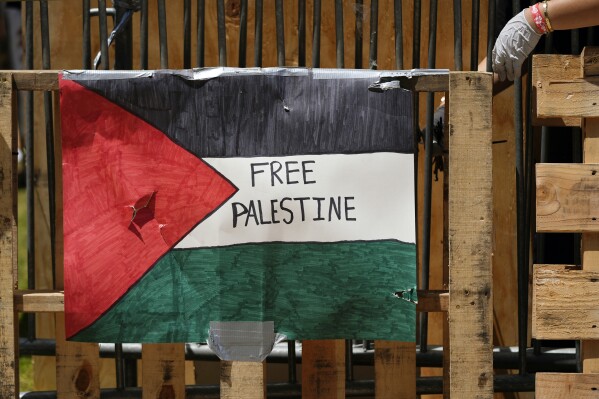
x: 515, y: 42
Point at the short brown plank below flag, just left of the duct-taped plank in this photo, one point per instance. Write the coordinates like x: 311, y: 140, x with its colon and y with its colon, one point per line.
x: 163, y: 371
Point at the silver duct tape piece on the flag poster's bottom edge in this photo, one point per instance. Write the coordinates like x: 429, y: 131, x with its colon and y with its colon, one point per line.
x: 246, y: 341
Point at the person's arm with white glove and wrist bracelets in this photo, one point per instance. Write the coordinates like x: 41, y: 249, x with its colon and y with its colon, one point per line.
x: 522, y: 33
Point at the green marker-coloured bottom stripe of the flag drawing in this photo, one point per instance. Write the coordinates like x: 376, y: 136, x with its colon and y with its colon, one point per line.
x: 310, y: 290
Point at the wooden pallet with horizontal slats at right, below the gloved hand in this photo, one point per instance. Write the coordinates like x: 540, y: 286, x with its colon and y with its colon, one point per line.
x: 564, y: 296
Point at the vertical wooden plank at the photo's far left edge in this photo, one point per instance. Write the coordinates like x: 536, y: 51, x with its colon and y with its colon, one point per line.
x: 9, y: 371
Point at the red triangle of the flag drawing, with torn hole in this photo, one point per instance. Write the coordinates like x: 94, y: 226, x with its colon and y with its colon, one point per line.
x: 129, y: 194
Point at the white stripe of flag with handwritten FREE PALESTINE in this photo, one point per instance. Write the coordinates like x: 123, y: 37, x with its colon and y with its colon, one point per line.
x: 377, y: 190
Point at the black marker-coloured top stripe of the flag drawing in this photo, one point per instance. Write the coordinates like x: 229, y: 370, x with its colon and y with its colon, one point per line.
x: 267, y: 115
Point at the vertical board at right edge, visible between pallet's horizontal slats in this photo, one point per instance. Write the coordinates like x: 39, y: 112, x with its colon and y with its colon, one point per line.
x: 590, y: 241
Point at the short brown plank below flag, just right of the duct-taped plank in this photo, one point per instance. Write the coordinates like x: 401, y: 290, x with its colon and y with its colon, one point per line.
x: 323, y: 369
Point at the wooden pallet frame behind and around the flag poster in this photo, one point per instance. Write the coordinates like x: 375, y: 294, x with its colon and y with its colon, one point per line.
x: 469, y: 371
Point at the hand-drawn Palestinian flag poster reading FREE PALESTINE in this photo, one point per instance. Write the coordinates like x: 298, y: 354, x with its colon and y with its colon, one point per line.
x: 237, y: 195
